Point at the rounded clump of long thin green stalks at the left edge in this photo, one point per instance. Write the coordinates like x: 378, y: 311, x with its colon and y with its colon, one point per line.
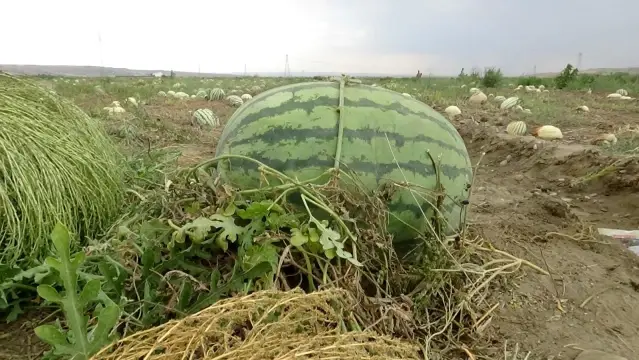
x: 56, y: 164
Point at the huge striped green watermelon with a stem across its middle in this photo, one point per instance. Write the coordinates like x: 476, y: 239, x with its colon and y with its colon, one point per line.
x: 294, y: 129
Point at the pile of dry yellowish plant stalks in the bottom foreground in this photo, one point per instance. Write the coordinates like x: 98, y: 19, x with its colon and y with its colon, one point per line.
x: 264, y: 325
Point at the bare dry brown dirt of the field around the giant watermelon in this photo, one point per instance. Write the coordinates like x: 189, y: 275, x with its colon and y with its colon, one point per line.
x: 538, y: 200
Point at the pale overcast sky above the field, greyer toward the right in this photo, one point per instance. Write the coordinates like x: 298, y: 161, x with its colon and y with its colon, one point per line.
x: 374, y: 36
